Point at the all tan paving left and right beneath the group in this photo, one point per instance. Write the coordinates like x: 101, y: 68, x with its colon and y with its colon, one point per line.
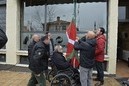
x: 9, y: 78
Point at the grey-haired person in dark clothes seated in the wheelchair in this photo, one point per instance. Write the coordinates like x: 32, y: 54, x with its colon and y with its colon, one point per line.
x: 62, y: 64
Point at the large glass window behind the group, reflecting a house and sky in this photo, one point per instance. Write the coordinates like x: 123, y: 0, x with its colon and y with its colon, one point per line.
x: 55, y: 19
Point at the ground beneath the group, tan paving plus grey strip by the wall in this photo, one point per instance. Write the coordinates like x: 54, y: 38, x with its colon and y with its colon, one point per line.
x: 19, y: 76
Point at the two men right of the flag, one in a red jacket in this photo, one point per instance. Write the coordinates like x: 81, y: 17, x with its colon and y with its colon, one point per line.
x: 92, y: 48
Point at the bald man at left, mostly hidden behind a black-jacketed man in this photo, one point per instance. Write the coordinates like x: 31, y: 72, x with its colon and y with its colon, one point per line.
x: 35, y: 39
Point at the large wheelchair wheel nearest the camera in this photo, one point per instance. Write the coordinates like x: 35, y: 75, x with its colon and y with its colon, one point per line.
x: 61, y: 80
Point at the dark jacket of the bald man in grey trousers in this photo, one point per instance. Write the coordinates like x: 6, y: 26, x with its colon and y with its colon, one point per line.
x: 87, y: 52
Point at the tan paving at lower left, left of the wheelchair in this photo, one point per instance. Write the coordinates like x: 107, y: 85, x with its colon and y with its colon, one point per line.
x: 8, y: 78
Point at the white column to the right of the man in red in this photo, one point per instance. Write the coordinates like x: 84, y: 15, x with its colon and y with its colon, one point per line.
x: 112, y: 35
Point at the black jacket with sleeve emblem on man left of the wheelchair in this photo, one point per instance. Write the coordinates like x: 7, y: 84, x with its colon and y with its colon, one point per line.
x: 39, y: 58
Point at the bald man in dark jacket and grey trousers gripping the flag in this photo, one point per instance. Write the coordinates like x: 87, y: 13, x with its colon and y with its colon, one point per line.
x: 87, y: 60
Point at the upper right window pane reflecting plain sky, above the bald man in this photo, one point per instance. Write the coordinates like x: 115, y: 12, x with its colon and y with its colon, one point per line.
x: 91, y: 16
